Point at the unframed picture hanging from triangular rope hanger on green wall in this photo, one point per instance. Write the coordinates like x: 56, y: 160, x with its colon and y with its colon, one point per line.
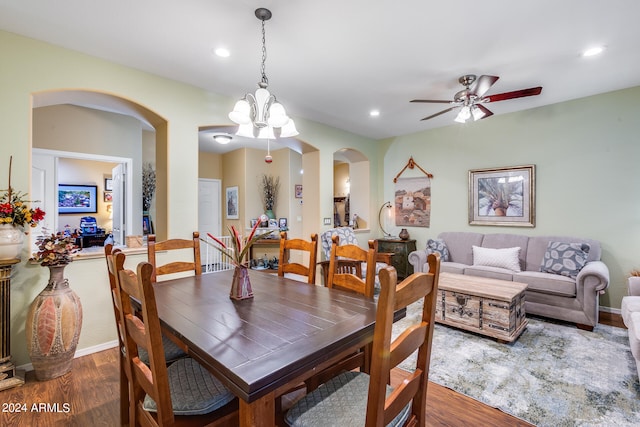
x: 412, y: 201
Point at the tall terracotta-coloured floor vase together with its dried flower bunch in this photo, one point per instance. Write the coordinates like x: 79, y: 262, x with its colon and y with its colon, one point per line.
x: 55, y: 315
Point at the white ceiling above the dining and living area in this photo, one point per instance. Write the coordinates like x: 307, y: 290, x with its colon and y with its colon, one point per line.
x: 333, y: 61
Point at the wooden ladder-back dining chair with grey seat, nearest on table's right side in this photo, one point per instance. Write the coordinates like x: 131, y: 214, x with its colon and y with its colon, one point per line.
x: 356, y: 398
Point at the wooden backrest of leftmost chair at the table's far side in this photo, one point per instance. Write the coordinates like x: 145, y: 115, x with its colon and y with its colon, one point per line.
x: 175, y: 266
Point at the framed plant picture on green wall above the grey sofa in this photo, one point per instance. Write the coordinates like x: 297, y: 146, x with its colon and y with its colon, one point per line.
x: 502, y: 196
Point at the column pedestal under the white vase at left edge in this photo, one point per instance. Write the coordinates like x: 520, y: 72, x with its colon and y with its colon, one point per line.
x: 9, y: 377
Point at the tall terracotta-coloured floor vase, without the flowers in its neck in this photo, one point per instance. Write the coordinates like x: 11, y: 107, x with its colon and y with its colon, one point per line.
x: 53, y: 327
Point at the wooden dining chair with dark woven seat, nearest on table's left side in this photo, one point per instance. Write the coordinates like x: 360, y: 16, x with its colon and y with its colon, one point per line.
x: 183, y: 392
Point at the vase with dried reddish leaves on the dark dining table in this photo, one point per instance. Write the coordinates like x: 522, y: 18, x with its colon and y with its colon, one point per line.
x: 237, y: 254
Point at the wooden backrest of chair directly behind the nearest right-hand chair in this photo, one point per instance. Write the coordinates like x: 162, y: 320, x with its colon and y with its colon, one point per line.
x: 342, y: 254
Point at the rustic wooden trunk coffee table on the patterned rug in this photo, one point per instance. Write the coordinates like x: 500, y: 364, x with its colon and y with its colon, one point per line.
x: 490, y: 307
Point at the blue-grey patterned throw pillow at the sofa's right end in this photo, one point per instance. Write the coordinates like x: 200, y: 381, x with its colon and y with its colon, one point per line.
x: 565, y: 259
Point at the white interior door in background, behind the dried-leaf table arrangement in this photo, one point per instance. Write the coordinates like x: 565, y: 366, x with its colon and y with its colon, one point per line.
x: 209, y: 214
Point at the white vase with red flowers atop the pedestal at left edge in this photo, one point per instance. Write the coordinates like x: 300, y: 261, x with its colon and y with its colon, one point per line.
x: 15, y: 215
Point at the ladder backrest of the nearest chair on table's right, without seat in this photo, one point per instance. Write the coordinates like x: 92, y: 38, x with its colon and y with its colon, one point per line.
x: 386, y: 354
